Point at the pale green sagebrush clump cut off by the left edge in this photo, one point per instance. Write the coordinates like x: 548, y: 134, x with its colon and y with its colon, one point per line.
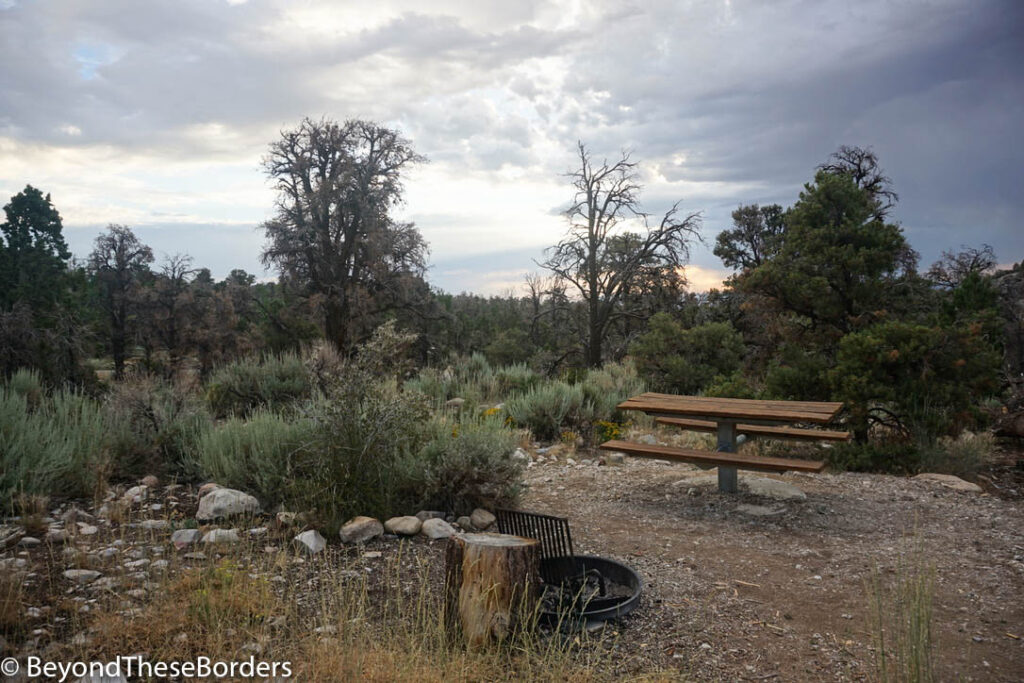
x: 60, y: 446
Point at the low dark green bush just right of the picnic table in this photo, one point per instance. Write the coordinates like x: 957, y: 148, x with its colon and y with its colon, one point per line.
x: 928, y: 378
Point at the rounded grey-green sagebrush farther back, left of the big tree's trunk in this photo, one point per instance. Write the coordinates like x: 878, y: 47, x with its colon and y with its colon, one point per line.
x: 244, y: 386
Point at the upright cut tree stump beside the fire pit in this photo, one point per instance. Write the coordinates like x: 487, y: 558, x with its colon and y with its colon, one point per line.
x: 492, y: 585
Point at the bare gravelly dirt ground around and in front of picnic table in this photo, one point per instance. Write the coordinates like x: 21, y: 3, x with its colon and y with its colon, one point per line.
x: 781, y: 591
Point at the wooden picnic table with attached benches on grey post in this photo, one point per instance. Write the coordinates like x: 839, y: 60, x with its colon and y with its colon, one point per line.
x: 730, y: 417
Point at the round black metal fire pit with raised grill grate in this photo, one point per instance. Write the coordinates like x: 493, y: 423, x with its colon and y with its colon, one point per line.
x: 577, y: 589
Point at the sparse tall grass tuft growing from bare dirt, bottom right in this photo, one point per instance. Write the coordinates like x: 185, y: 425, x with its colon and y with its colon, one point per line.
x: 902, y: 620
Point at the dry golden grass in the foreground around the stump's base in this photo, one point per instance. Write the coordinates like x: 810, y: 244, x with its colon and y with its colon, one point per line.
x: 331, y: 619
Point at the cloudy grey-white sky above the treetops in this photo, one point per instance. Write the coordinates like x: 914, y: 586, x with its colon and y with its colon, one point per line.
x: 156, y: 114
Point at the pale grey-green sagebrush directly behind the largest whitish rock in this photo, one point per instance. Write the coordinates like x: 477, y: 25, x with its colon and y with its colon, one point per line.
x: 255, y: 455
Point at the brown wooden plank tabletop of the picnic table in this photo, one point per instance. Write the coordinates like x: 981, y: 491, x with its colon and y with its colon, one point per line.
x: 734, y: 409
